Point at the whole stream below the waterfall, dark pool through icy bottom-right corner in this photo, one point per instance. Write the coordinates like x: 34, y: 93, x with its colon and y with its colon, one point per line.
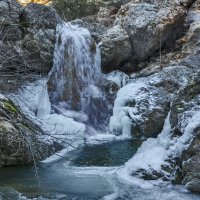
x: 85, y: 175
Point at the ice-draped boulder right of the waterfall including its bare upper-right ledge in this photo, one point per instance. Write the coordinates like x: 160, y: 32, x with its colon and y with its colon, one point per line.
x: 142, y: 106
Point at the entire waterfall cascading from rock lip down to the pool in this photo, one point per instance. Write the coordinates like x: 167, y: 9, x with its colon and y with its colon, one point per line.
x: 75, y: 79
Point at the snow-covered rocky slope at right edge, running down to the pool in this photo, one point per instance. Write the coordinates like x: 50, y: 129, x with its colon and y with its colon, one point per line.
x: 156, y: 158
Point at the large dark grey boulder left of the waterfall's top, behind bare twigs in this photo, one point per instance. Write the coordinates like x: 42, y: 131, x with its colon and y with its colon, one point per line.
x: 26, y: 37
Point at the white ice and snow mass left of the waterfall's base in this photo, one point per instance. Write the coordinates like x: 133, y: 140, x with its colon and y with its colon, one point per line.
x: 33, y: 99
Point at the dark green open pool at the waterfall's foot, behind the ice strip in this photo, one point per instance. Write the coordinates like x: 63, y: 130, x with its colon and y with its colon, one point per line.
x: 108, y: 154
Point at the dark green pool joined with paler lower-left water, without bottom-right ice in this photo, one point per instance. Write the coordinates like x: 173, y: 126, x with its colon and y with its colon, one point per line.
x: 64, y: 177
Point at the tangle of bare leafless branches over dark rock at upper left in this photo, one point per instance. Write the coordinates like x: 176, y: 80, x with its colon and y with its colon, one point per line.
x: 24, y: 53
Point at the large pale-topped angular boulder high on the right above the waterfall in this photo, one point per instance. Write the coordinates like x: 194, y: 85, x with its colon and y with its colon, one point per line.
x: 150, y: 26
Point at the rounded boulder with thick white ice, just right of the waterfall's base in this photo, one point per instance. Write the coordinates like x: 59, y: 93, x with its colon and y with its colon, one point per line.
x: 137, y: 108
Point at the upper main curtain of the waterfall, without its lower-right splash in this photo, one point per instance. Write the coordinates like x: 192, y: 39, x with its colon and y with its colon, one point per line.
x: 76, y: 64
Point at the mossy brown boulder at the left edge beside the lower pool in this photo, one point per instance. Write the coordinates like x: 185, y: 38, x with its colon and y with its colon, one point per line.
x: 20, y: 139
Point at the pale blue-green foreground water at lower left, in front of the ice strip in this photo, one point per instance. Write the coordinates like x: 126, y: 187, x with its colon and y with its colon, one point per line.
x: 54, y: 181
